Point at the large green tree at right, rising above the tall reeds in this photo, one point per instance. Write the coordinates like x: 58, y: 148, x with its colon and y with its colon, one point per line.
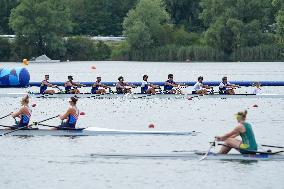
x: 236, y: 23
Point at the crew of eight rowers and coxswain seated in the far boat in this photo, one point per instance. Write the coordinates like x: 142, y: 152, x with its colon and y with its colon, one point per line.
x: 122, y: 87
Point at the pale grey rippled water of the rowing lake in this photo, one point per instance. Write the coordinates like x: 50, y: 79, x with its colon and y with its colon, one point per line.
x: 63, y: 162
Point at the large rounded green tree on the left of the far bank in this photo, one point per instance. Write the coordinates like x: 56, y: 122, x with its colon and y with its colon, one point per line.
x: 42, y: 24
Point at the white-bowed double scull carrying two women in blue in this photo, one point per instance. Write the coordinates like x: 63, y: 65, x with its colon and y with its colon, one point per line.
x: 91, y: 131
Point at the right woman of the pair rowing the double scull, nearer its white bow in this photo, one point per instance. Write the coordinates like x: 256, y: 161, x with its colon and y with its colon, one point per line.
x: 71, y: 115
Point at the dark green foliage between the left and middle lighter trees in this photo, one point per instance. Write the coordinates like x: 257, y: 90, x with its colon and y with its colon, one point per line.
x: 99, y: 17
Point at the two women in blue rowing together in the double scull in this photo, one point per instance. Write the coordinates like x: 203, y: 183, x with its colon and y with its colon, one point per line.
x: 24, y: 114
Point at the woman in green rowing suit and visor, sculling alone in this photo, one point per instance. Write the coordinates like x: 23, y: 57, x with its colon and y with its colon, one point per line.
x: 247, y: 144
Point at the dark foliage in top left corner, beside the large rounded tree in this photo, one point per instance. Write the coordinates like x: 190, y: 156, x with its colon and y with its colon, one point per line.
x: 5, y: 9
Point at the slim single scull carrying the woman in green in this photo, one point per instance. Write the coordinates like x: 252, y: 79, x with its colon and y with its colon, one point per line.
x: 194, y: 156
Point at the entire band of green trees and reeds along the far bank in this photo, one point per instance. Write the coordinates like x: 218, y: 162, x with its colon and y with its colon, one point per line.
x: 155, y: 30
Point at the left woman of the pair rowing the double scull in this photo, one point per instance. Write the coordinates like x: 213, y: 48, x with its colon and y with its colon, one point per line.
x: 24, y: 113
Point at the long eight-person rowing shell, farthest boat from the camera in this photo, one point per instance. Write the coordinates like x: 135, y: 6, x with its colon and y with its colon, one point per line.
x: 140, y: 96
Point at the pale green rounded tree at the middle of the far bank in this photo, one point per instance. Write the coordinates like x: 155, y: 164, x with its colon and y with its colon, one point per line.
x: 144, y: 25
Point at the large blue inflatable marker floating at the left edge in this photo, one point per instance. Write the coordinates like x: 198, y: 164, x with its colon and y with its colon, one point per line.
x: 15, y: 77
